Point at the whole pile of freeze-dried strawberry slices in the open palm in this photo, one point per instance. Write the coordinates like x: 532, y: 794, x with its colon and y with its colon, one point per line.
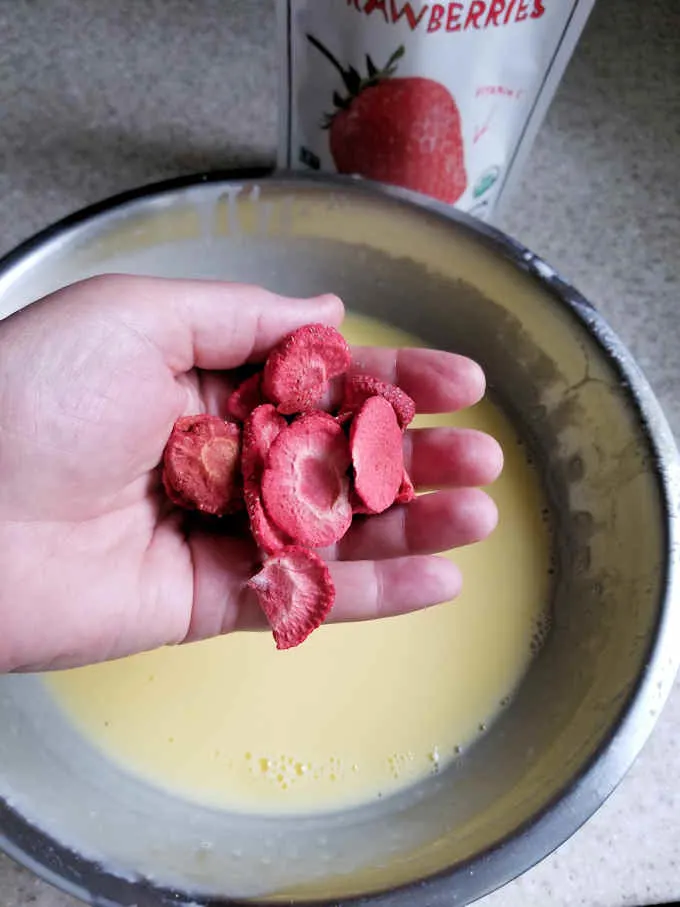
x: 302, y: 472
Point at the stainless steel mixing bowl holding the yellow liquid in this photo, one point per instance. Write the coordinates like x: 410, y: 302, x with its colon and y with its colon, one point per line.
x: 591, y: 697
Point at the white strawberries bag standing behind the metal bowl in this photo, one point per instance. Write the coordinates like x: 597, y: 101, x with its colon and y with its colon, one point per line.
x: 441, y: 98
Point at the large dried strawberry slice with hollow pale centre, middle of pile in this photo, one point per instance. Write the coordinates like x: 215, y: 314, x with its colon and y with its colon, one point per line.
x: 305, y: 486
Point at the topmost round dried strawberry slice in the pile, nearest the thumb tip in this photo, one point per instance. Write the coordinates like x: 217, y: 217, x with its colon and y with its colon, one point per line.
x: 298, y: 370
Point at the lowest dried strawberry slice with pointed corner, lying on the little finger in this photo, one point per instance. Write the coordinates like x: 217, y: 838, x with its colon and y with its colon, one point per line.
x: 296, y: 593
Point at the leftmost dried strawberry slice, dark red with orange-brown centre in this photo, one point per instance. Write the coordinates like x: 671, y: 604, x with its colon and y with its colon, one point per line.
x: 201, y: 464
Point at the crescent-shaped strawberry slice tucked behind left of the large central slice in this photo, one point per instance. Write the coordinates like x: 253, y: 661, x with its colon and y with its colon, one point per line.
x: 259, y: 433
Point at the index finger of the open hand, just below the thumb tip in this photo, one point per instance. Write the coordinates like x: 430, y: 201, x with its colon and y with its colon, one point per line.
x: 437, y: 381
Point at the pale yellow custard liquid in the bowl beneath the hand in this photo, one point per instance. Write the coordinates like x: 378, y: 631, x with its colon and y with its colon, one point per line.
x: 358, y: 711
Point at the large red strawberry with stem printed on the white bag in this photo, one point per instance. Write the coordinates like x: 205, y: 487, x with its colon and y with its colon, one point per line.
x: 402, y: 131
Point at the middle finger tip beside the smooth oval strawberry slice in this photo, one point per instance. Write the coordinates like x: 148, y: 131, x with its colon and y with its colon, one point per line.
x: 451, y: 457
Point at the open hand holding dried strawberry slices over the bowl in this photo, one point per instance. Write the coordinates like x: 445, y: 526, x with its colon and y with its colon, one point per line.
x: 93, y: 564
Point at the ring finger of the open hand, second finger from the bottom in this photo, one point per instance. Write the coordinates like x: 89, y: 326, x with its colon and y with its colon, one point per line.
x: 430, y: 524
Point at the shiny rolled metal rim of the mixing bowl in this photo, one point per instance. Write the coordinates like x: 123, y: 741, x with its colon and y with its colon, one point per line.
x: 597, y: 778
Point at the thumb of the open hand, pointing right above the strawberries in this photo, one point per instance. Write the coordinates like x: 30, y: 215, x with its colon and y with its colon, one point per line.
x: 205, y: 324
